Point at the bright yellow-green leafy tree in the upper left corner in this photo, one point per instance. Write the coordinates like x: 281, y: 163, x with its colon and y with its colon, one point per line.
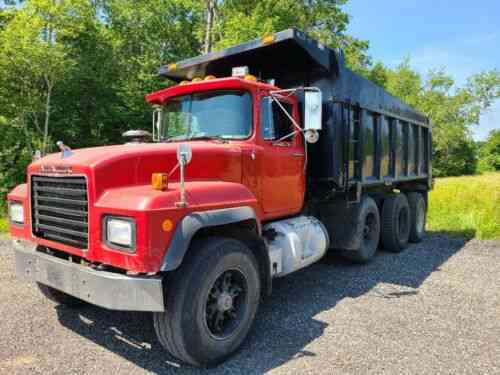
x: 34, y: 59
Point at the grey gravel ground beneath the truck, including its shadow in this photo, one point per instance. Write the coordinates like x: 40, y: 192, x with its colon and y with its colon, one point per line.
x: 433, y: 309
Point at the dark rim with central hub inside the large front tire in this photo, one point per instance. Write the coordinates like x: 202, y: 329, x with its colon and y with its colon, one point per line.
x: 226, y: 304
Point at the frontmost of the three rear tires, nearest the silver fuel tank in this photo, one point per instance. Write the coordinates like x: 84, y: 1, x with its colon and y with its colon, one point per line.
x: 367, y: 231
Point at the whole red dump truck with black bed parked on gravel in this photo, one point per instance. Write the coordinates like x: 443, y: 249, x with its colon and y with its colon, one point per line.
x: 262, y: 157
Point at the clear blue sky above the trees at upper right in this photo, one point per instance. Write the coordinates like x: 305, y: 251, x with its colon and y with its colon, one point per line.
x: 461, y: 36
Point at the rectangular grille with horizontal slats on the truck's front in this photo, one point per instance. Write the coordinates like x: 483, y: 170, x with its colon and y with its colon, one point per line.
x: 59, y: 207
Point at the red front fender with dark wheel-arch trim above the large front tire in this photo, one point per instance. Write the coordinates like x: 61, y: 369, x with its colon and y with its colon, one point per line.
x: 210, y: 203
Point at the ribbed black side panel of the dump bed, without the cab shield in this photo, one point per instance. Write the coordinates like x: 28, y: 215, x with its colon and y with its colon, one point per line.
x: 369, y: 137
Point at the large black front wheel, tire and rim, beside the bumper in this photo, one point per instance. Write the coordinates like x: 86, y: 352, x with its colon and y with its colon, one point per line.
x: 211, y: 302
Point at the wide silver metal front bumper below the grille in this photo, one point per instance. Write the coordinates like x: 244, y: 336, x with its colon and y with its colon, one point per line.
x: 110, y: 290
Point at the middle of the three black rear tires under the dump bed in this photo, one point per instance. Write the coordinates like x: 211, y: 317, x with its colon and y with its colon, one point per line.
x: 395, y: 223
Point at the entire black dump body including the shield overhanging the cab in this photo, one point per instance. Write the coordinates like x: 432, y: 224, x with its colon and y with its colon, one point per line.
x: 369, y: 137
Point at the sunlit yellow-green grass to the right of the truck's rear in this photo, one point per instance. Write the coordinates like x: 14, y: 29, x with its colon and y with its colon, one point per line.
x: 466, y: 206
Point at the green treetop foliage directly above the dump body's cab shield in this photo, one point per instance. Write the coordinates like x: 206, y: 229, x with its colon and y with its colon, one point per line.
x: 236, y: 21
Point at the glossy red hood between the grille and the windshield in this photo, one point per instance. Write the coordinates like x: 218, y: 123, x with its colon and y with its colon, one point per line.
x: 133, y: 164
